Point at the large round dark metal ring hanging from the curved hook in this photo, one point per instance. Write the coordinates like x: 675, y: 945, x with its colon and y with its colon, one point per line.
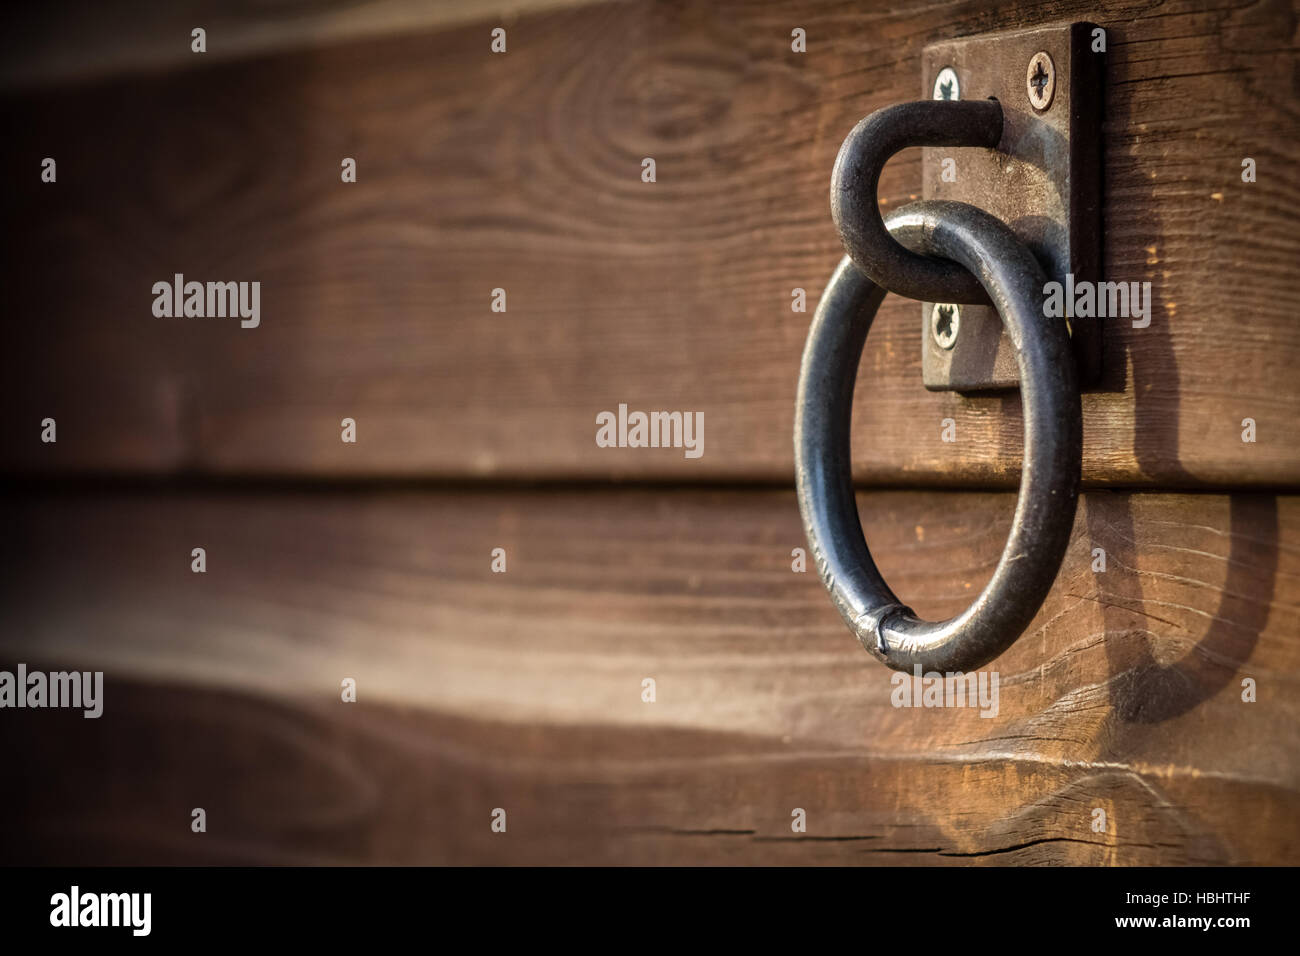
x: 1050, y: 477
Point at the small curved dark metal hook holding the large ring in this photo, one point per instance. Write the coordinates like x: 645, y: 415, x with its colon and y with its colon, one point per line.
x: 857, y: 175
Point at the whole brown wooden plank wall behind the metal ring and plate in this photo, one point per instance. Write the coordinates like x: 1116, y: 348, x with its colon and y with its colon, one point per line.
x: 476, y: 431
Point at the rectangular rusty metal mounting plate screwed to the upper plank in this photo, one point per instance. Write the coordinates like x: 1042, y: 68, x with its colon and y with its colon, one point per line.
x: 1045, y: 181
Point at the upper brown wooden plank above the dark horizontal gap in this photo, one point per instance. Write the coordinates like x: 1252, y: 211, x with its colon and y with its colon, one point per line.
x: 523, y: 172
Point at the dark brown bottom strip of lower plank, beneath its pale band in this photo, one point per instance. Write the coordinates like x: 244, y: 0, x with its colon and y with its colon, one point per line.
x: 300, y: 782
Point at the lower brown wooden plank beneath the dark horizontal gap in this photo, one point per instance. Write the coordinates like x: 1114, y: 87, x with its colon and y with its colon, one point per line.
x: 523, y: 690
